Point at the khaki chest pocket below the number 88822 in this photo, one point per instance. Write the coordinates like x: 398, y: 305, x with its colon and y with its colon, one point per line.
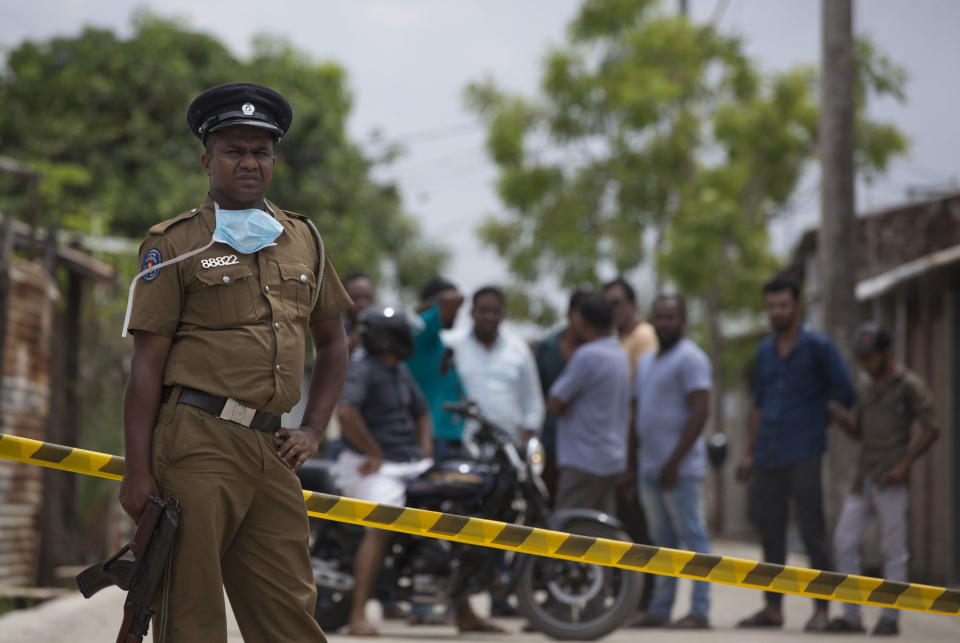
x: 222, y: 298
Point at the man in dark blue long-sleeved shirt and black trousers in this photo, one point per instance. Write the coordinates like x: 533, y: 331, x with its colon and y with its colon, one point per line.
x: 798, y: 372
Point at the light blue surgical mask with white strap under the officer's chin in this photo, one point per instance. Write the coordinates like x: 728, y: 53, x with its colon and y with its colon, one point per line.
x: 246, y: 231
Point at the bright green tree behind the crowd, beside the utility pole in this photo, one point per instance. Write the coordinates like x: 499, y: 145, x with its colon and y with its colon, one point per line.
x: 650, y: 126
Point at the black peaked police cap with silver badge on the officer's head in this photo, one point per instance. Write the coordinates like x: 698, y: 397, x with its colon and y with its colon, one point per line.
x: 233, y: 104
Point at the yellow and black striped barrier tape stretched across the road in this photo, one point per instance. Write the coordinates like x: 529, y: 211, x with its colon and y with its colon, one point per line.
x: 554, y: 544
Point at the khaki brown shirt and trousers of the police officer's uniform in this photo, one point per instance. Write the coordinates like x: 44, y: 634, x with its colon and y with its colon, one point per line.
x: 238, y: 324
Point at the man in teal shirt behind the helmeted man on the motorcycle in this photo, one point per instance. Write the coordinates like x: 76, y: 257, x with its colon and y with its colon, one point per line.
x: 432, y: 363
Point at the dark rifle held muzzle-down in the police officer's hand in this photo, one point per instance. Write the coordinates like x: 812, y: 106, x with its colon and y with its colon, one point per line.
x: 141, y: 575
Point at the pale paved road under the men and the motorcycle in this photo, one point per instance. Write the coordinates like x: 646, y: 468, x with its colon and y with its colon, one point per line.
x: 75, y: 620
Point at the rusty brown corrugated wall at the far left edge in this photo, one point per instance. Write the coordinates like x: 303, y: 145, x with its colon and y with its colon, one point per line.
x: 23, y: 412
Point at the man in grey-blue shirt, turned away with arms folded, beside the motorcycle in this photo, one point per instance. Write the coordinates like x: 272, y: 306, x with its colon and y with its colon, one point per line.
x: 591, y: 398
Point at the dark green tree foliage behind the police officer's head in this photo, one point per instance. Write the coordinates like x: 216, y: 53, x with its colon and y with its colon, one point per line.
x: 103, y: 118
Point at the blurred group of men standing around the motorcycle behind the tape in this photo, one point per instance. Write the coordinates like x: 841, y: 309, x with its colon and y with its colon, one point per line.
x: 620, y: 405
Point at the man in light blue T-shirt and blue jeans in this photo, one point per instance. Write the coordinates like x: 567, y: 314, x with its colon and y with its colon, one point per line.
x: 672, y: 394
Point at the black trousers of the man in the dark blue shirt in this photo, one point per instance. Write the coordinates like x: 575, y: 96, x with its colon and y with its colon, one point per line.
x: 798, y: 484
